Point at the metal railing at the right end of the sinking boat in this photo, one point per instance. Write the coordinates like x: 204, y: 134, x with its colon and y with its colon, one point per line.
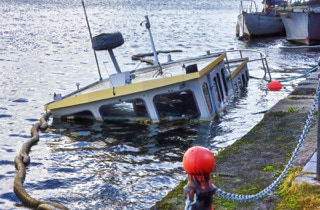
x: 252, y: 55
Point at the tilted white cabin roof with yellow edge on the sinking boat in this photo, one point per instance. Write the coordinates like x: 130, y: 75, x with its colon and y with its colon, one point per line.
x: 105, y: 89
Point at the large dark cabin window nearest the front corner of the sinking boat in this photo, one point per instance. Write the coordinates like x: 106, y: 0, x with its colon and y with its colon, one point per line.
x: 176, y: 106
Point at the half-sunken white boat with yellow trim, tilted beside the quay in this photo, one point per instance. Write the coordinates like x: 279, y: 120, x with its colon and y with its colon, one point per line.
x: 194, y: 89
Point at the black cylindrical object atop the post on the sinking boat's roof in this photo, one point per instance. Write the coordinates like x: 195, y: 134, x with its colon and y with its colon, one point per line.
x: 107, y: 41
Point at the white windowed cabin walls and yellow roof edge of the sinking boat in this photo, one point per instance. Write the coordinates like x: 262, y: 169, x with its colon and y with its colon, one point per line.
x: 199, y: 95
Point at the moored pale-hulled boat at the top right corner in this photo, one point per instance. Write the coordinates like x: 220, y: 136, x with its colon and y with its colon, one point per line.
x: 302, y: 21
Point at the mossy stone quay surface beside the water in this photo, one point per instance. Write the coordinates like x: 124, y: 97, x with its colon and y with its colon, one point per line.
x: 243, y: 165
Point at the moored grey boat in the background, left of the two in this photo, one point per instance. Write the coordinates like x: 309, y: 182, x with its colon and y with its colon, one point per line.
x: 254, y: 23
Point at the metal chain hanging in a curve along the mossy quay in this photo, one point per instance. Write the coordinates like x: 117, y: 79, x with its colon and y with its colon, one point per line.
x: 248, y: 198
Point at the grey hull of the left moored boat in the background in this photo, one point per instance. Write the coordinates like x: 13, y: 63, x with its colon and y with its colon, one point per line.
x: 260, y: 24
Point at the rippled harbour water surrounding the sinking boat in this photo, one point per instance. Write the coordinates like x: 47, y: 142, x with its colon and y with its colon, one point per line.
x: 45, y: 48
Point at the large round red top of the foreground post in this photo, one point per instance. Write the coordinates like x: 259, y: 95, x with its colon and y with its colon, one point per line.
x: 199, y: 160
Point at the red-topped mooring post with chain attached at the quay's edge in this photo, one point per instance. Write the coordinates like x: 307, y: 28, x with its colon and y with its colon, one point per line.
x: 199, y: 163
